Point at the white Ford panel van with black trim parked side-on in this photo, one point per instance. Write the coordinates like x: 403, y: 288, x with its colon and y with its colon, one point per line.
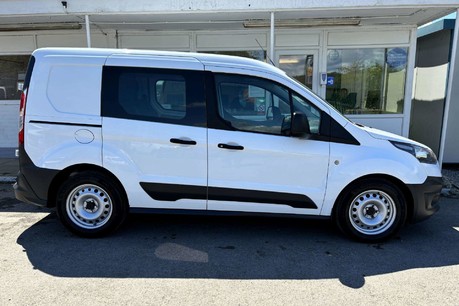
x: 106, y: 132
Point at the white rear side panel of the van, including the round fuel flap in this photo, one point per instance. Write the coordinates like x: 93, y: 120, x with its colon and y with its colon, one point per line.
x: 63, y: 123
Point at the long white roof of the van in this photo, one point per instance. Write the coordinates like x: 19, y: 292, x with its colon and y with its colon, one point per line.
x: 204, y: 58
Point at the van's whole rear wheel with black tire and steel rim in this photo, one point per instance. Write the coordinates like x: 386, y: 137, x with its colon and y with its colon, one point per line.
x: 91, y: 204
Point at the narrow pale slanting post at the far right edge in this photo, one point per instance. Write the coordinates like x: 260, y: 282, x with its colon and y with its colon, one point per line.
x: 449, y: 89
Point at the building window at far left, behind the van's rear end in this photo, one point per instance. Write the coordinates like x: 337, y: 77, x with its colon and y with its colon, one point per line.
x: 12, y: 74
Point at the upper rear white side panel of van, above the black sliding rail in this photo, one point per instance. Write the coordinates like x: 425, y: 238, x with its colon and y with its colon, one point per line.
x: 67, y: 87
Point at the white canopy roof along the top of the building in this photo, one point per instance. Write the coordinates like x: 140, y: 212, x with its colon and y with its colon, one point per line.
x: 216, y: 15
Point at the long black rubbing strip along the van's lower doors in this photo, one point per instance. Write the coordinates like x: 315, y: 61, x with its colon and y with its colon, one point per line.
x: 173, y: 192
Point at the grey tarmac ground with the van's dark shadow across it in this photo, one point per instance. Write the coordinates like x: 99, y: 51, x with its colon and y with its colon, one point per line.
x: 191, y: 260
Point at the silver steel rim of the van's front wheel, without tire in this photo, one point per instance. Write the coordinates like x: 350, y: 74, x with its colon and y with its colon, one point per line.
x: 372, y: 212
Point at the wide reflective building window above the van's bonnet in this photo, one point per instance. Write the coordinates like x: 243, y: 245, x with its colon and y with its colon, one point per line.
x: 367, y: 81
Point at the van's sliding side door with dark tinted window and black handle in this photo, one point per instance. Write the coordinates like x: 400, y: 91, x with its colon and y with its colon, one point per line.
x: 154, y: 130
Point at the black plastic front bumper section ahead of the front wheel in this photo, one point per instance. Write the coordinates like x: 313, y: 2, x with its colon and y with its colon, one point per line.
x: 425, y: 198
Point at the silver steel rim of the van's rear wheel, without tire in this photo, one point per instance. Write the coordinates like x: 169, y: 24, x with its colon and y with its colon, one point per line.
x: 89, y: 206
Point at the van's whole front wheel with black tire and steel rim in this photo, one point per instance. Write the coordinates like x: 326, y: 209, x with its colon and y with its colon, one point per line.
x: 372, y: 210
